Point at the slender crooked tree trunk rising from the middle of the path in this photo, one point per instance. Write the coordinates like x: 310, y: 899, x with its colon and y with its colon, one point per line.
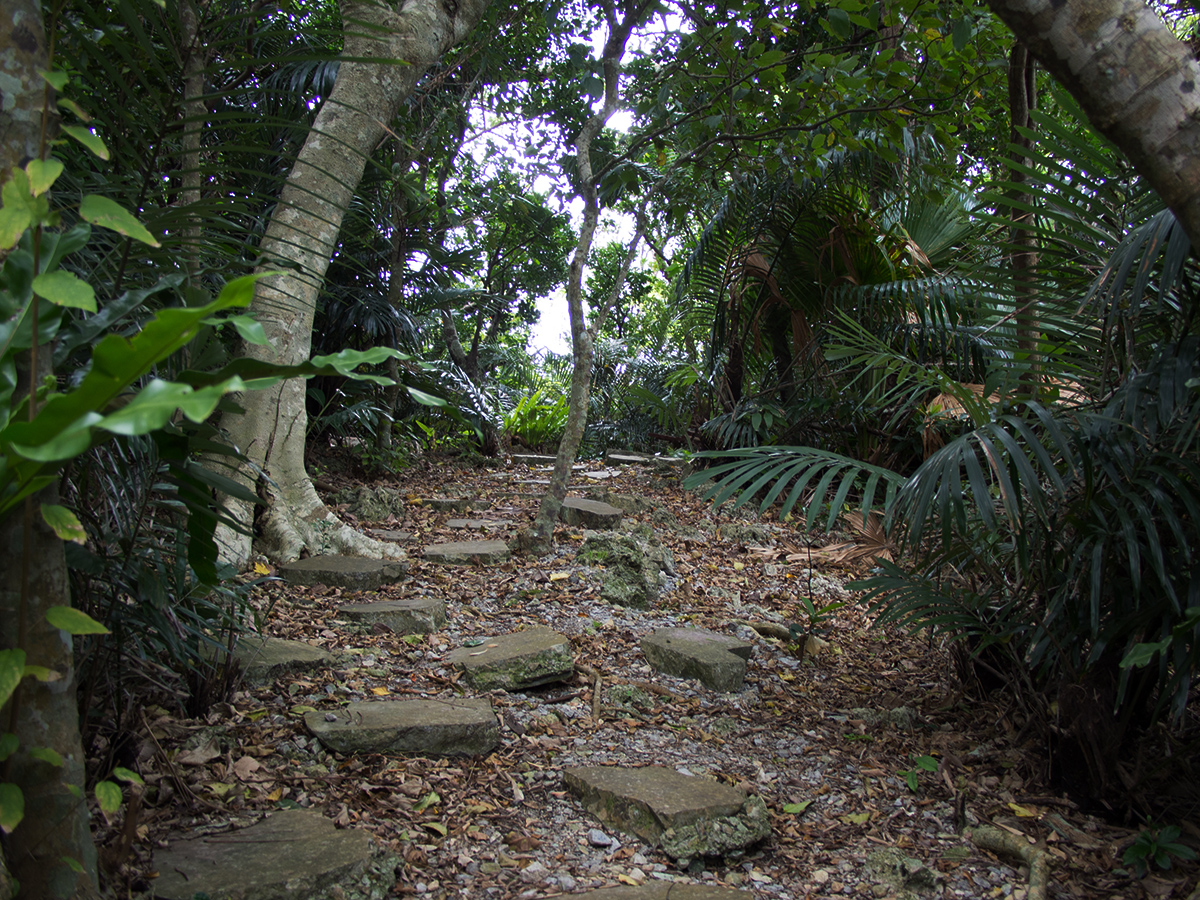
x: 541, y: 538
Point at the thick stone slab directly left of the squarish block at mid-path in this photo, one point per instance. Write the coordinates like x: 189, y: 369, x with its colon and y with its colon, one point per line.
x: 517, y: 662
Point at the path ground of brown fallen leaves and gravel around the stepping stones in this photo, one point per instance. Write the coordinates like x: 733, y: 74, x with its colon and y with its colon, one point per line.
x: 832, y: 740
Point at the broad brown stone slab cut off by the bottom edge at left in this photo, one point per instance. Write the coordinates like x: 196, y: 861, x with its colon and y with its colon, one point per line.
x: 291, y: 854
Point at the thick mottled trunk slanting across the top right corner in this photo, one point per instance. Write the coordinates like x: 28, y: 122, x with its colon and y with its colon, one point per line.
x: 1137, y: 82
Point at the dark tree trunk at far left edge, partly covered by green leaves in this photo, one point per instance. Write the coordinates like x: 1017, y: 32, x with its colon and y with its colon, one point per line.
x: 43, y: 715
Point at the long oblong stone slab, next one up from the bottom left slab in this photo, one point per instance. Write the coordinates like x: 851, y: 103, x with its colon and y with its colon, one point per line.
x: 427, y: 728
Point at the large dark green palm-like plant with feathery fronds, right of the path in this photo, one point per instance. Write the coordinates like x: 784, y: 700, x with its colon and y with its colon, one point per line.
x: 1051, y: 532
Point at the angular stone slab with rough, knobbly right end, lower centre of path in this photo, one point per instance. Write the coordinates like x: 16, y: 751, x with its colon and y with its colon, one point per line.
x: 689, y: 818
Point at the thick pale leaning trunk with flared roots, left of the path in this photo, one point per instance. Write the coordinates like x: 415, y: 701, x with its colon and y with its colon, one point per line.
x: 385, y: 55
